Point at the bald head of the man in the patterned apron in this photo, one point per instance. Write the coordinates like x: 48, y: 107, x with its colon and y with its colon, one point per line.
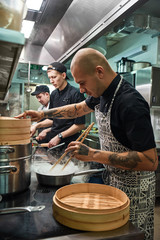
x: 91, y: 71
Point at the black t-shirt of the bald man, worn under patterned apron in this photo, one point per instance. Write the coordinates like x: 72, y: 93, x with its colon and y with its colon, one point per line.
x: 130, y: 115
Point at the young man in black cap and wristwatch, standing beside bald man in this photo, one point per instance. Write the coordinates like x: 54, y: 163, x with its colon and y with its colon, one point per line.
x: 61, y: 130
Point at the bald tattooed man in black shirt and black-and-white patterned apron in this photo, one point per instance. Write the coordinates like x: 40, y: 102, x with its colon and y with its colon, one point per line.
x: 128, y: 149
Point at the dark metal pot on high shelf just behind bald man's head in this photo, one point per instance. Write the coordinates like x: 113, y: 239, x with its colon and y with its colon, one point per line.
x: 125, y: 65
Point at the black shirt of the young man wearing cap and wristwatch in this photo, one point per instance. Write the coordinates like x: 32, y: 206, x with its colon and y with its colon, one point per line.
x: 67, y: 96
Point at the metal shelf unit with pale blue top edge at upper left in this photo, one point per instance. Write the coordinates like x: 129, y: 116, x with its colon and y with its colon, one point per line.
x: 11, y: 44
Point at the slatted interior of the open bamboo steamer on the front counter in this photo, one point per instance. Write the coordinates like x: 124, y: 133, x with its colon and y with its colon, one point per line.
x: 97, y: 197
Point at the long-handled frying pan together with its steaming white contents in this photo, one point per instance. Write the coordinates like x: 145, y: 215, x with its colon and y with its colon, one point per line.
x: 48, y: 178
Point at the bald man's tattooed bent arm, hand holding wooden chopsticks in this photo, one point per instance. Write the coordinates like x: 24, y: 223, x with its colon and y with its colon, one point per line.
x: 138, y: 161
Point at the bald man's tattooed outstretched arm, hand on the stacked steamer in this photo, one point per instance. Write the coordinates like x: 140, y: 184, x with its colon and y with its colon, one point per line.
x: 69, y: 111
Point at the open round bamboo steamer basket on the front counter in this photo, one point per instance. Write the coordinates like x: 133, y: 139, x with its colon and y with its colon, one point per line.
x: 91, y: 207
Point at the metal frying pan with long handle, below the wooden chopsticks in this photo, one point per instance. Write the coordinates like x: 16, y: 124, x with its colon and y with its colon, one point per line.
x: 64, y: 179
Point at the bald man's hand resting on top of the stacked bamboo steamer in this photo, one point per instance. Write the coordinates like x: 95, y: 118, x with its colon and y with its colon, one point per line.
x: 35, y: 115
